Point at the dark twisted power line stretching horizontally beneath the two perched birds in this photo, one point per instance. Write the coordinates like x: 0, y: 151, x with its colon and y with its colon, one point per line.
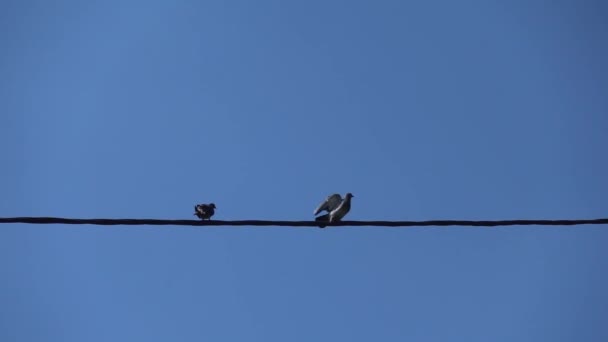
x: 215, y: 223
